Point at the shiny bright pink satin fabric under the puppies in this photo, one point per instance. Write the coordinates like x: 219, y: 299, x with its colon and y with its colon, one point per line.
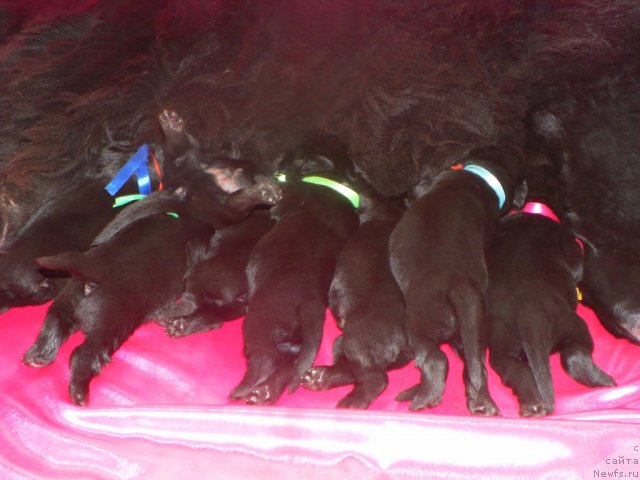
x: 160, y: 411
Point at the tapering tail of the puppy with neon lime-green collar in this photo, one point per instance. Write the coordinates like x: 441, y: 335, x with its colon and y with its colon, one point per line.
x: 311, y: 316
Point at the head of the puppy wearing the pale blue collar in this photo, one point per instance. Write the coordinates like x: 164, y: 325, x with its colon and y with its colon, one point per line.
x: 507, y: 166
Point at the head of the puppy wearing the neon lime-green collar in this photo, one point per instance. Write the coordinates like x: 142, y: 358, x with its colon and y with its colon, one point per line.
x: 324, y: 155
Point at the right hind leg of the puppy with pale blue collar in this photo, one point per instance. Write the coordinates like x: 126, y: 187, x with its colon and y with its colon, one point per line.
x: 470, y: 311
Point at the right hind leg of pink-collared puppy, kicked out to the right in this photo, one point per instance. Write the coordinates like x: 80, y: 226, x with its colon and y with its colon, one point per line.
x: 575, y: 355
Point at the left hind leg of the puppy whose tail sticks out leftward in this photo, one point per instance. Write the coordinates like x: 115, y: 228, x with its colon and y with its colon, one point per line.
x: 57, y: 327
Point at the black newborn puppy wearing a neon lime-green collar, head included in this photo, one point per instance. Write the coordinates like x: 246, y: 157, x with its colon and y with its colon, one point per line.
x: 290, y: 270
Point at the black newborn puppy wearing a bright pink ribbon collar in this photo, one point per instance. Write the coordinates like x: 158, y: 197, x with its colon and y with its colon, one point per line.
x: 534, y: 265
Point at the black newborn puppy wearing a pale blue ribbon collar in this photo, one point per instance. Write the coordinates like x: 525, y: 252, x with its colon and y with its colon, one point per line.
x: 437, y: 257
